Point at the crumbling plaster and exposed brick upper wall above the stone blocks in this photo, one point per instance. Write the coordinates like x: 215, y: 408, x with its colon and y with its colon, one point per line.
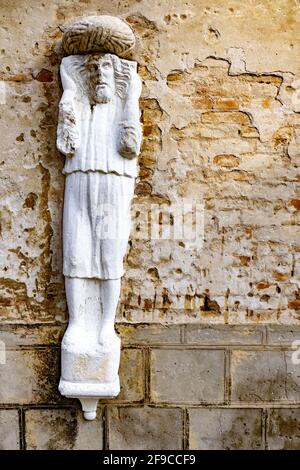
x: 220, y: 109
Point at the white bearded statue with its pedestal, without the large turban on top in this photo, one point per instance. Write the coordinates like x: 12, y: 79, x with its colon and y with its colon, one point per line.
x: 100, y: 134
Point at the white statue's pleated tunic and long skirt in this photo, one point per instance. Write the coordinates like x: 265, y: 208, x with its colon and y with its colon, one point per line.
x: 99, y: 184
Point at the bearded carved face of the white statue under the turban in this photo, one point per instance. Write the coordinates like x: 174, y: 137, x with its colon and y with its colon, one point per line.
x: 102, y: 78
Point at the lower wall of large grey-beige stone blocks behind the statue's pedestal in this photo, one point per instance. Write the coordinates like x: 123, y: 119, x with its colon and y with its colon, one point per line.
x: 183, y: 387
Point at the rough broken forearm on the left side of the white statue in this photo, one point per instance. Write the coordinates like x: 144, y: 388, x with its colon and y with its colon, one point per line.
x: 67, y: 133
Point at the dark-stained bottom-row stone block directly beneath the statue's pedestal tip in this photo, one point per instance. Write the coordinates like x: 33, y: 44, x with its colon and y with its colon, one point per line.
x: 62, y: 429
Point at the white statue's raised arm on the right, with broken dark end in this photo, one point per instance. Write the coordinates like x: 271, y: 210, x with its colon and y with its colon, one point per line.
x: 130, y: 131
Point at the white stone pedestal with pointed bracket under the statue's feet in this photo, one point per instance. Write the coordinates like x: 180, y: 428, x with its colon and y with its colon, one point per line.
x: 89, y: 373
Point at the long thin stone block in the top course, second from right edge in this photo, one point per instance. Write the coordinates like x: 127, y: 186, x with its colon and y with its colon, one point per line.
x: 223, y: 334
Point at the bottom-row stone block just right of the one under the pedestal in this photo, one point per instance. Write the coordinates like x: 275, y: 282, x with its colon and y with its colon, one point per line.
x: 145, y: 428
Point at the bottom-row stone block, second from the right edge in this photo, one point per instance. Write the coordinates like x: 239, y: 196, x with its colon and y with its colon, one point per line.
x: 225, y: 429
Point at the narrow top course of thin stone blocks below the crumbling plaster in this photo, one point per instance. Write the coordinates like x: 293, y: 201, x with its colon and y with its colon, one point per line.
x: 153, y: 334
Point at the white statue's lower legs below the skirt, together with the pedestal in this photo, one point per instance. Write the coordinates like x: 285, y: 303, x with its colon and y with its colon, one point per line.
x: 90, y: 347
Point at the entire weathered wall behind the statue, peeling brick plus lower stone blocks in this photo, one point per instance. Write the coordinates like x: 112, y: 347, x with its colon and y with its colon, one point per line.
x: 221, y: 115
